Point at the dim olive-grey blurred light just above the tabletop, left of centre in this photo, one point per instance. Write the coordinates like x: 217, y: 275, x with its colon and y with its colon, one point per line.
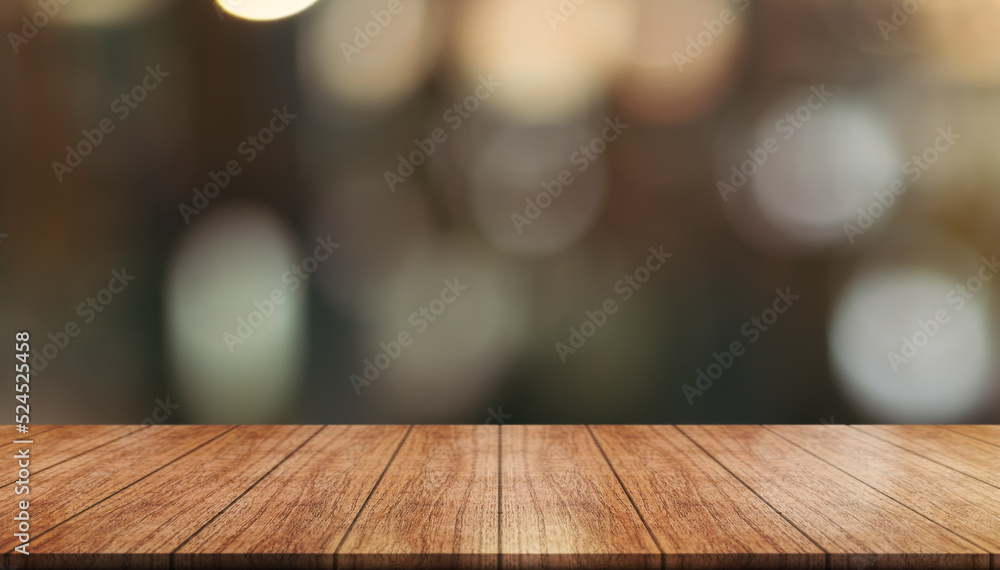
x: 464, y: 309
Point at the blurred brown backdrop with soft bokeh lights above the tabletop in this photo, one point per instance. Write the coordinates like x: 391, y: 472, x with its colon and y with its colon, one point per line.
x: 335, y: 211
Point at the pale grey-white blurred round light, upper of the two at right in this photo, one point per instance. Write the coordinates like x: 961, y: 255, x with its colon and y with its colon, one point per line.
x: 810, y: 169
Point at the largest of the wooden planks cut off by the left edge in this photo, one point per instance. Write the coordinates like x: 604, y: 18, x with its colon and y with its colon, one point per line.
x: 67, y: 489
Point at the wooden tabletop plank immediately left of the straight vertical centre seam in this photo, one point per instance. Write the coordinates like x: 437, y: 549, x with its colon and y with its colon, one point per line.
x: 436, y: 505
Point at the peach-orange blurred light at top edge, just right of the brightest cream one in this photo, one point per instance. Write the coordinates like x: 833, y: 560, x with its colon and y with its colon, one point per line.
x: 685, y: 58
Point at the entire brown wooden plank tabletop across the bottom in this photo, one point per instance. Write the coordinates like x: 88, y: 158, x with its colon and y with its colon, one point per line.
x: 509, y: 496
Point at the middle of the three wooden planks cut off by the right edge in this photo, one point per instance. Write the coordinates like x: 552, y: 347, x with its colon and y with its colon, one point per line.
x: 973, y: 457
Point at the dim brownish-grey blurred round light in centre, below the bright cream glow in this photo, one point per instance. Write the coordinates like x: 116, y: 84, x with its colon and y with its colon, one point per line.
x: 536, y: 190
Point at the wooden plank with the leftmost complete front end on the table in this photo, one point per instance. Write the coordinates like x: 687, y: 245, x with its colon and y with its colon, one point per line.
x: 141, y: 525
